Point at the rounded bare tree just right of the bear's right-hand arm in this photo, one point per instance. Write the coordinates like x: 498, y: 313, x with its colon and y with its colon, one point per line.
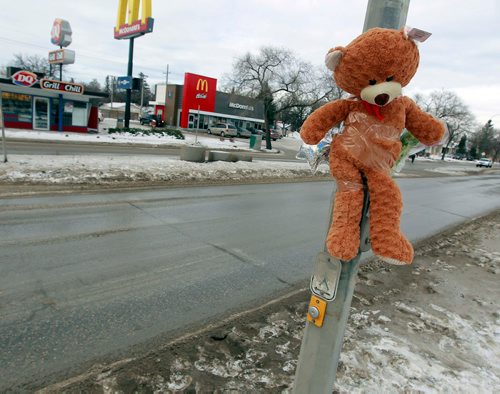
x: 450, y: 108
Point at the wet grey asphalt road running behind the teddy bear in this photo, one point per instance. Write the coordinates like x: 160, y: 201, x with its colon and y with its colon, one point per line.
x: 86, y: 277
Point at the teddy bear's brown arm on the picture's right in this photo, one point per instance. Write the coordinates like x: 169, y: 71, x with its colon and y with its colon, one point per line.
x: 423, y: 126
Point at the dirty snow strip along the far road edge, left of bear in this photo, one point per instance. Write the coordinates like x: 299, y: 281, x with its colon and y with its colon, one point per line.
x: 96, y: 169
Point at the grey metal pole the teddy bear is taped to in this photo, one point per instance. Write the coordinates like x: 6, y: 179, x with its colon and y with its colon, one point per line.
x: 333, y: 281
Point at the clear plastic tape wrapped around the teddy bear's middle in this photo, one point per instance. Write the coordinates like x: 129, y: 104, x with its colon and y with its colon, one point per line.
x: 373, y: 144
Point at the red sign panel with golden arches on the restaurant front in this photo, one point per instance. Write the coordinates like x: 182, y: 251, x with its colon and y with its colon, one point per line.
x: 199, y: 92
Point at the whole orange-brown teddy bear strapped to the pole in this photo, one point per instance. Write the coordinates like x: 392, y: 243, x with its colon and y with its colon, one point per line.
x: 373, y: 68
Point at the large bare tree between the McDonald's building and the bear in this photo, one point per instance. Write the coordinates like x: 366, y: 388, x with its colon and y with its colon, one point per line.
x: 279, y: 78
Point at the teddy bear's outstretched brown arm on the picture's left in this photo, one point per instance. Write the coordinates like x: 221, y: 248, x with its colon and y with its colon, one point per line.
x: 322, y: 120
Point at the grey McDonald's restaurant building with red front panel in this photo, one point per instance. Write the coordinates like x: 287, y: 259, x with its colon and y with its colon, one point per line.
x: 199, y: 96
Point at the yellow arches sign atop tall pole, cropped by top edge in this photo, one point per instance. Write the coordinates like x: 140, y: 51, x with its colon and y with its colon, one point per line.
x: 128, y: 22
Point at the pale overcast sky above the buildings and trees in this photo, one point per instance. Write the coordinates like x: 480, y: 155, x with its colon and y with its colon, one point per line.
x: 205, y: 37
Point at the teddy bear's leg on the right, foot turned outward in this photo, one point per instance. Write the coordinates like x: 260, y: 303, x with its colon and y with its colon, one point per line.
x: 386, y: 206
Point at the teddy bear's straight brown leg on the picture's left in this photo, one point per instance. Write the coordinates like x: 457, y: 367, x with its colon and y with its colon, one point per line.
x: 343, y: 236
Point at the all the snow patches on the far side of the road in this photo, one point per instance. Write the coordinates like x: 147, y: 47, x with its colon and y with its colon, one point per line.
x: 100, y: 169
